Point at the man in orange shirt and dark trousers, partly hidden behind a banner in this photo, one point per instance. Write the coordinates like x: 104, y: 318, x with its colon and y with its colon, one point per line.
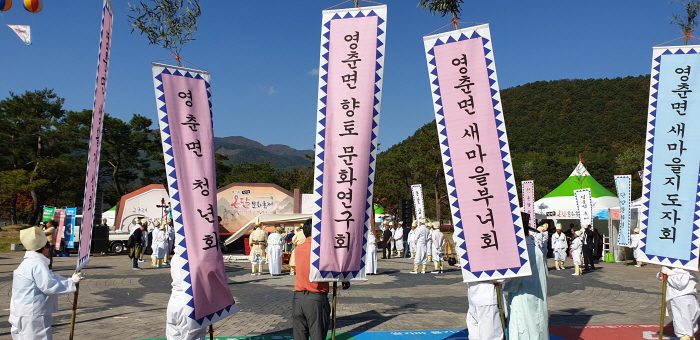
x: 311, y: 311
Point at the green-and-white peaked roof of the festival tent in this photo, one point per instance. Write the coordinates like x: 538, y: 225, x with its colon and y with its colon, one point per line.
x: 561, y: 203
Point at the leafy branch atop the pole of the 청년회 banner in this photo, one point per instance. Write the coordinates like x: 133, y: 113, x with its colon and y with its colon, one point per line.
x: 167, y: 23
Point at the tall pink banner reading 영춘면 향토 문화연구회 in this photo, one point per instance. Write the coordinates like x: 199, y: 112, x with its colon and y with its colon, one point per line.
x: 350, y: 83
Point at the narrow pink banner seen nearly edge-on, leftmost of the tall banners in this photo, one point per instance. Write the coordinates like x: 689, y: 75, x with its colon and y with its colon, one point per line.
x: 93, y: 164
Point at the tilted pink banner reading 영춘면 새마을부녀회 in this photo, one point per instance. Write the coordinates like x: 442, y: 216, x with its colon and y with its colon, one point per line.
x: 488, y: 234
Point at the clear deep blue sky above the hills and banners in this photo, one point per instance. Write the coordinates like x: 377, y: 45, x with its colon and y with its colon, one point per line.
x: 263, y: 56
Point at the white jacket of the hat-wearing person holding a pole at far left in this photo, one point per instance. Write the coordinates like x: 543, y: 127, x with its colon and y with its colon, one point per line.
x: 35, y: 288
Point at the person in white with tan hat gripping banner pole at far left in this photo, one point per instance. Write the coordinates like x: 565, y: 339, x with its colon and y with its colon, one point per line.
x: 35, y: 289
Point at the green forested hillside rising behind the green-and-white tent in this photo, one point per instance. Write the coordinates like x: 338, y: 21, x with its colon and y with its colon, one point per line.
x: 549, y: 124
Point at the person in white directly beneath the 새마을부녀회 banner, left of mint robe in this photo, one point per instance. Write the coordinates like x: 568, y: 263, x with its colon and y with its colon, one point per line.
x: 483, y: 319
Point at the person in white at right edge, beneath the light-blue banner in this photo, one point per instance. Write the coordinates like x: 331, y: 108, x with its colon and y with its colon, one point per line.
x: 680, y: 295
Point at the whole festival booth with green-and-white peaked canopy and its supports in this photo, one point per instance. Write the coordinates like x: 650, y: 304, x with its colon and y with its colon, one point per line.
x: 560, y: 204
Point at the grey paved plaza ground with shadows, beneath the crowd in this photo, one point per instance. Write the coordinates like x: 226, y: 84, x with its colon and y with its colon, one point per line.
x: 119, y: 303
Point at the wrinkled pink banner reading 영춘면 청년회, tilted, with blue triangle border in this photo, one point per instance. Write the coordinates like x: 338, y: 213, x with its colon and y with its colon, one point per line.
x: 183, y: 97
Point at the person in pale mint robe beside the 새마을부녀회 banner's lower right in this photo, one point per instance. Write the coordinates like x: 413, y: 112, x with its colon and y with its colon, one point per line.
x: 527, y: 299
